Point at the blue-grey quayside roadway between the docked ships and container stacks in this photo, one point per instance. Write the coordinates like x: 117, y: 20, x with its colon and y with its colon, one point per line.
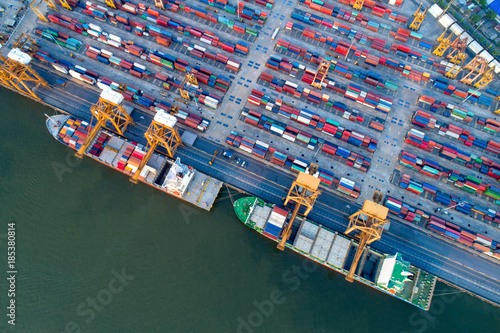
x: 449, y: 262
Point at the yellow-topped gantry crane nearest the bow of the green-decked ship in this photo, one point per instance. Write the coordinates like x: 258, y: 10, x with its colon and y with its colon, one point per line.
x: 303, y: 192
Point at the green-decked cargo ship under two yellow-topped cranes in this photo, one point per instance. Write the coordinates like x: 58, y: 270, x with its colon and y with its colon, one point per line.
x: 387, y: 273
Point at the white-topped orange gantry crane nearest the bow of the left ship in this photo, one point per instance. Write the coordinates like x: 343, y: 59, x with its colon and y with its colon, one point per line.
x: 108, y: 108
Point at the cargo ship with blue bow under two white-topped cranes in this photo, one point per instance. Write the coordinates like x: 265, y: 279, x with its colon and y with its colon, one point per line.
x: 123, y: 155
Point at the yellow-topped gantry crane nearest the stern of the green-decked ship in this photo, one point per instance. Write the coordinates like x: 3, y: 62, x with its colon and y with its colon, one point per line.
x: 369, y: 223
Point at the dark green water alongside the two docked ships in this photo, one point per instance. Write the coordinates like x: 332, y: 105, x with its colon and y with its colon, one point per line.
x: 95, y: 253
